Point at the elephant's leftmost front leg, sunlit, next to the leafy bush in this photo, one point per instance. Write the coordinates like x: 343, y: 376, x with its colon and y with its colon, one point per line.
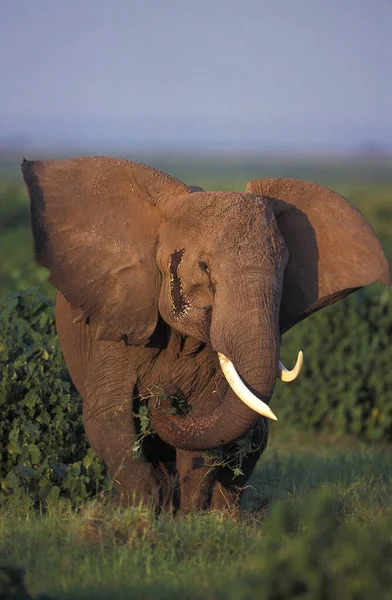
x: 110, y: 427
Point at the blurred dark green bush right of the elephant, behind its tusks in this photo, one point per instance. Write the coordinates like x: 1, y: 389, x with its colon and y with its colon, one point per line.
x: 346, y: 381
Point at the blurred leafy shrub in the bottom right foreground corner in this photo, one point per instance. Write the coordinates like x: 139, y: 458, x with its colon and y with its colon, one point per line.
x: 307, y: 552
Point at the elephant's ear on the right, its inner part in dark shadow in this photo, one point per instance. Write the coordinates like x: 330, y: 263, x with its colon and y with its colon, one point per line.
x: 332, y: 248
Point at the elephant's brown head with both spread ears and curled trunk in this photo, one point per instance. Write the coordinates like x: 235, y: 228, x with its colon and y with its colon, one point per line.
x: 125, y: 243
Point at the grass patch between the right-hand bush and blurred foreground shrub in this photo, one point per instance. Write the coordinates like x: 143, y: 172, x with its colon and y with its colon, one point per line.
x: 295, y: 465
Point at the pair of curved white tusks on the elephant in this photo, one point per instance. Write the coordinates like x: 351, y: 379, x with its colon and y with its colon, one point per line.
x: 244, y: 394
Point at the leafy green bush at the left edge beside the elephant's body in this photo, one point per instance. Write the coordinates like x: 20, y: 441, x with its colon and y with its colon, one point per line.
x: 43, y: 448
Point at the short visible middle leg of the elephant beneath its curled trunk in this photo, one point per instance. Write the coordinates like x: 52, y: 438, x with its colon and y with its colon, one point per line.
x: 196, y: 479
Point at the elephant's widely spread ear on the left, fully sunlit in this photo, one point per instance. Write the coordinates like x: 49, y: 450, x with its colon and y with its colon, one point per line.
x: 95, y: 223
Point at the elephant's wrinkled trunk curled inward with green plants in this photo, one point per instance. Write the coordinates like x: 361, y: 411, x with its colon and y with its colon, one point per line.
x: 251, y: 343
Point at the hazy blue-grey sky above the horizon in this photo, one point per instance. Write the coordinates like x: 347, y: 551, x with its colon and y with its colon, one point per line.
x: 205, y: 75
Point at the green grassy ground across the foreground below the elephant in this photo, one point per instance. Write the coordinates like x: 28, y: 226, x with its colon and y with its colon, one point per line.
x: 306, y: 490
